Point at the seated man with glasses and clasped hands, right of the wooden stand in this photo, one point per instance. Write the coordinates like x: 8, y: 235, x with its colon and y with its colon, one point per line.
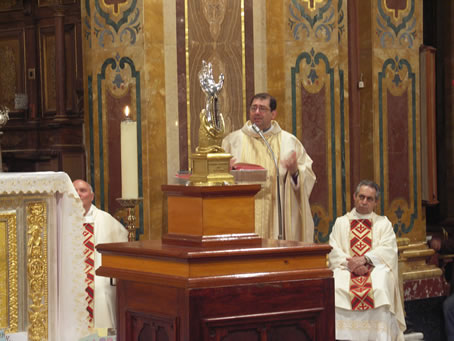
x: 364, y: 262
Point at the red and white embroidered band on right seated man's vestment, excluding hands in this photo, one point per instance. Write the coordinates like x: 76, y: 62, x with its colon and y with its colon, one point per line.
x: 361, y: 292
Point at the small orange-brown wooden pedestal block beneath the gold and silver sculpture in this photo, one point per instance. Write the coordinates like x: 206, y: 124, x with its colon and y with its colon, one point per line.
x: 211, y: 215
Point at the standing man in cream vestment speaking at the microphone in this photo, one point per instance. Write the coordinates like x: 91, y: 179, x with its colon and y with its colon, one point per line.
x: 295, y: 172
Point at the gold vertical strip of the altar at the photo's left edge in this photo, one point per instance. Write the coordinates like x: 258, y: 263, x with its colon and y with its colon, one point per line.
x: 8, y: 272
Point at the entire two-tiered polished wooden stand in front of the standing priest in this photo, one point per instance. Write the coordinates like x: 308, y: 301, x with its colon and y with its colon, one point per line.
x: 212, y: 278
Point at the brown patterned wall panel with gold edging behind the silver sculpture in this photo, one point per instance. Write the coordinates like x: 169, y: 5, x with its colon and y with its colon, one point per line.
x: 217, y: 33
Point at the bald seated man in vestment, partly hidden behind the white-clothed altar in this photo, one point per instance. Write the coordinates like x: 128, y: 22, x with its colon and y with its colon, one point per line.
x: 99, y: 227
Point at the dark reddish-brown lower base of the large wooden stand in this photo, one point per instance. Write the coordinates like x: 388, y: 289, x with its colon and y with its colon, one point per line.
x: 276, y: 310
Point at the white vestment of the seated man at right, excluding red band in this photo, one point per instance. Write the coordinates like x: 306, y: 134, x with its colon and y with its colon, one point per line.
x: 386, y: 321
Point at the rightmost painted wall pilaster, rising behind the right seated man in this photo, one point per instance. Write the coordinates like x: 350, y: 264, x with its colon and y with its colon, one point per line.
x: 397, y: 122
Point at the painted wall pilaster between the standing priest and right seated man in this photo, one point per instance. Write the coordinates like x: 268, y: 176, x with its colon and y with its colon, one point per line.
x: 311, y: 87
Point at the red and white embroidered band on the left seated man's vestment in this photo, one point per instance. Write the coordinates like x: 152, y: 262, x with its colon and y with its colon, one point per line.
x: 89, y: 250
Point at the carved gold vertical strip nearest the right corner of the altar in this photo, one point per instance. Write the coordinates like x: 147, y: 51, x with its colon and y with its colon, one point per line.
x: 37, y: 270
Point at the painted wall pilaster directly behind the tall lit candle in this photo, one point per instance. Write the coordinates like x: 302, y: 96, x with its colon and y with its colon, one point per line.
x: 122, y: 69
